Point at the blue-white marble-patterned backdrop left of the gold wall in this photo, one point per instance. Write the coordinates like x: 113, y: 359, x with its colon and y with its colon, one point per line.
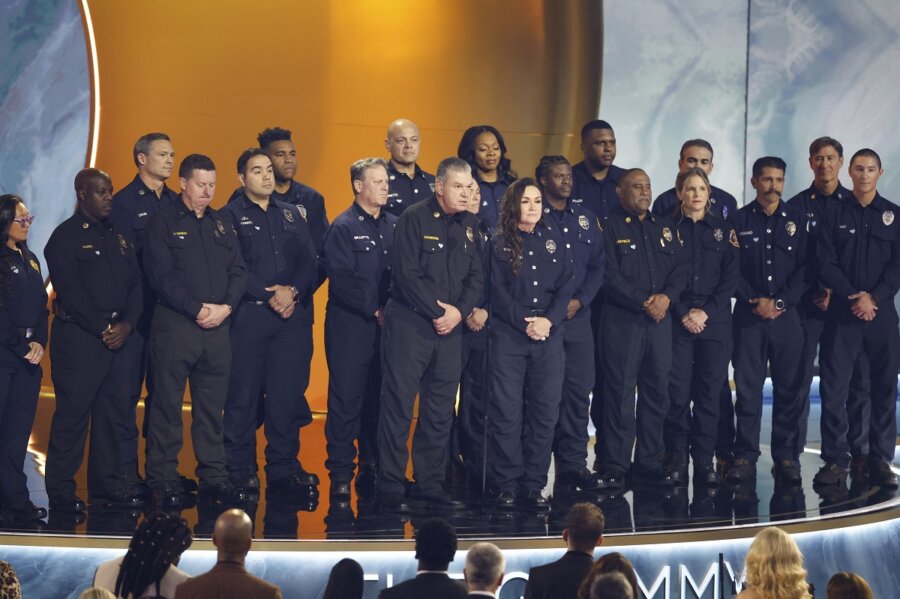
x: 44, y: 108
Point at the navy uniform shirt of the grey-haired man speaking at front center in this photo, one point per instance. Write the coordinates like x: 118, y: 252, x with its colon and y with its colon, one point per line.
x: 436, y: 257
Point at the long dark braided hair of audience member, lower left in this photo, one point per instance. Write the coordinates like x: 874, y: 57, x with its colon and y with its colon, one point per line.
x: 157, y: 544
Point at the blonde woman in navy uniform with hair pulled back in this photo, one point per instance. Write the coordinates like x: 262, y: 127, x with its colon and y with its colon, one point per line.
x: 701, y: 333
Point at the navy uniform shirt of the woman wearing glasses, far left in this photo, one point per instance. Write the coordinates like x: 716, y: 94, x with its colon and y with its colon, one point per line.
x: 24, y: 301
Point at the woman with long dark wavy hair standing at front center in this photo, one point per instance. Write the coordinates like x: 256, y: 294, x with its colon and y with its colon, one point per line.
x: 530, y: 287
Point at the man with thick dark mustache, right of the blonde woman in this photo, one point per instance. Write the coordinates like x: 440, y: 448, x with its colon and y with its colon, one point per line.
x: 767, y: 327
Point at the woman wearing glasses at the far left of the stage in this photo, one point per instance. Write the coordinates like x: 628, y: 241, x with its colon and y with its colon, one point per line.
x: 23, y: 335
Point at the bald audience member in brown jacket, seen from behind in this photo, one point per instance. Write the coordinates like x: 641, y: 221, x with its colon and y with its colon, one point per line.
x: 229, y: 578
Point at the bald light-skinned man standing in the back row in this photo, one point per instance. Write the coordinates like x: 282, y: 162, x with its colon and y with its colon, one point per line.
x: 407, y: 183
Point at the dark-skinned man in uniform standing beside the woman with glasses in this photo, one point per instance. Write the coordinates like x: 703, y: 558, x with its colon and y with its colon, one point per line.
x: 95, y: 274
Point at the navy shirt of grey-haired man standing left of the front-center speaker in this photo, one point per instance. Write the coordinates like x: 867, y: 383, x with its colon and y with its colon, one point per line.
x: 358, y: 254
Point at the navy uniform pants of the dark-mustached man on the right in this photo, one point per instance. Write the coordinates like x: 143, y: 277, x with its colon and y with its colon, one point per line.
x: 778, y: 345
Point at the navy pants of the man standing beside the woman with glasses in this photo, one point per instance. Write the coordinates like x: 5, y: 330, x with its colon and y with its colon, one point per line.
x: 91, y: 384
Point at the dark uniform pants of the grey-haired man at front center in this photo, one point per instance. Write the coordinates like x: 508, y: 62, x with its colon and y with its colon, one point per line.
x: 415, y: 359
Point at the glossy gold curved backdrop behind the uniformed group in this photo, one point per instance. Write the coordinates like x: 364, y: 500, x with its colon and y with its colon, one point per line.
x: 213, y: 73
